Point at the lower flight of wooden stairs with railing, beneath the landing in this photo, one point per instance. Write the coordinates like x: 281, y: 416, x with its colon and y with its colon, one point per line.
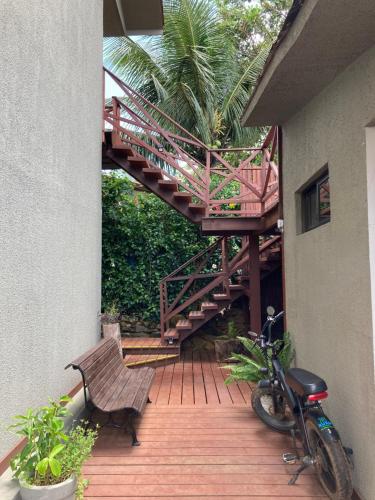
x: 229, y: 281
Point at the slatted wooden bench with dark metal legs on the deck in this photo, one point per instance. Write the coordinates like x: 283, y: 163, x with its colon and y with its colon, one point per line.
x: 112, y: 387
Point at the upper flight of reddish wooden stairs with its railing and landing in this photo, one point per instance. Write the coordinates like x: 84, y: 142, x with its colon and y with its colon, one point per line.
x: 194, y: 179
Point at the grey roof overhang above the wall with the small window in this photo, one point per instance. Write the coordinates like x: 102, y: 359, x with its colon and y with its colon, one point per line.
x: 317, y: 43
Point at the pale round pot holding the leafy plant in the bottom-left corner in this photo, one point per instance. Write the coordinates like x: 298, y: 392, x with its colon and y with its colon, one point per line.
x: 61, y: 491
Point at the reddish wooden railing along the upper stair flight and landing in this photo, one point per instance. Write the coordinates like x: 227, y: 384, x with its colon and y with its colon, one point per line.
x: 227, y: 182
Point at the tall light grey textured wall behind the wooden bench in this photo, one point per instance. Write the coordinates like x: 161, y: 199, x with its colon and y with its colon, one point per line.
x: 50, y: 192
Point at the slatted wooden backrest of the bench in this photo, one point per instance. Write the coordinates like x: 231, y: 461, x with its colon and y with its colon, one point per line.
x: 100, y: 366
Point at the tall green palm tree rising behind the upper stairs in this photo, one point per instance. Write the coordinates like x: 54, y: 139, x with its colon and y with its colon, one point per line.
x: 191, y: 72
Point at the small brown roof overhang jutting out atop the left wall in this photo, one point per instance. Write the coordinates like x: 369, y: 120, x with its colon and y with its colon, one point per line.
x: 132, y: 17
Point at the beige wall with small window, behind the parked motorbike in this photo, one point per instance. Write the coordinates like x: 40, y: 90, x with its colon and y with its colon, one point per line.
x: 328, y: 288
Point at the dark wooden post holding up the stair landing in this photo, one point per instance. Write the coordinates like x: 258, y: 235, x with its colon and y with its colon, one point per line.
x: 254, y: 285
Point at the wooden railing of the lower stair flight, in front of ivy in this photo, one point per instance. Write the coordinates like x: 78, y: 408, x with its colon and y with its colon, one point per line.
x: 212, y: 270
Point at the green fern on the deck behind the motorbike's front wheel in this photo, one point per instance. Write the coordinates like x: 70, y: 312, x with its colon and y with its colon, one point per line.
x: 248, y: 367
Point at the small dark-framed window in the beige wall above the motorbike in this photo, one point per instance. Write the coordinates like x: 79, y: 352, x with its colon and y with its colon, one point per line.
x: 315, y: 203
